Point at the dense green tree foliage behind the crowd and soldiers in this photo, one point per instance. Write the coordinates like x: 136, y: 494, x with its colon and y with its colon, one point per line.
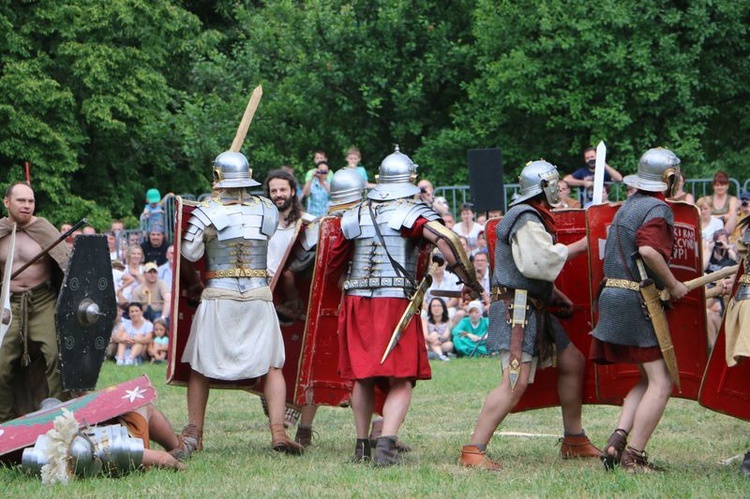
x: 107, y: 99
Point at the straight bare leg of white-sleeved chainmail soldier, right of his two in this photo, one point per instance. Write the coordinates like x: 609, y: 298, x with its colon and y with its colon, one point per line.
x: 570, y: 388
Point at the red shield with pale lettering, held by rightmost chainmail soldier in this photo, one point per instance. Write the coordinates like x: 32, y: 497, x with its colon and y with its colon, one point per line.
x: 687, y: 320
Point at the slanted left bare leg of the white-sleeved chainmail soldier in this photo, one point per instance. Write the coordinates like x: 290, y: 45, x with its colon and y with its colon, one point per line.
x: 498, y: 405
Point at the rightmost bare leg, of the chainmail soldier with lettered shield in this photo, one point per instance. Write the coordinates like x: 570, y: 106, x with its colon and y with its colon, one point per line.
x: 653, y: 403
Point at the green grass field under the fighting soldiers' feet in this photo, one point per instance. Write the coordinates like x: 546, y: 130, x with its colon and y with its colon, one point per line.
x: 238, y: 461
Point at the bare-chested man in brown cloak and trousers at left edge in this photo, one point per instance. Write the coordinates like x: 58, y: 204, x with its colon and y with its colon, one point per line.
x: 32, y: 302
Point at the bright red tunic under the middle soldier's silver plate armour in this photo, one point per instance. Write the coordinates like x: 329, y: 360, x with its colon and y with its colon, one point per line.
x: 365, y: 328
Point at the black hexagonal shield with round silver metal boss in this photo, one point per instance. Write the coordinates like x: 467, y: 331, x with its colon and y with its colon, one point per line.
x: 85, y: 313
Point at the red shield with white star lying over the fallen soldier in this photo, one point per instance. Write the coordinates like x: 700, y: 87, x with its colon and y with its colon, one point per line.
x: 92, y: 409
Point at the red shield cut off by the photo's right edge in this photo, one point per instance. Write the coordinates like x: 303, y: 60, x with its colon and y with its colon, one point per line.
x: 726, y: 389
